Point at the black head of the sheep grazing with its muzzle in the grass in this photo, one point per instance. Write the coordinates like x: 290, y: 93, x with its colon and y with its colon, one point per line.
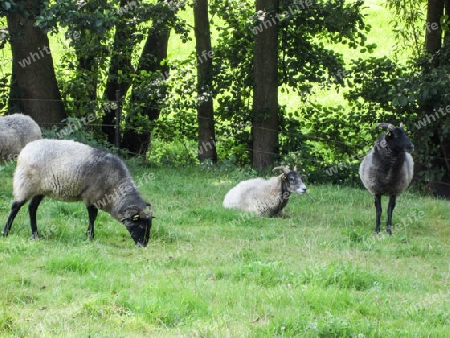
x: 139, y: 224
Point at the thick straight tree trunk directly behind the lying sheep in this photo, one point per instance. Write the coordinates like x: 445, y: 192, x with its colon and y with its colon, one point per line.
x: 265, y: 92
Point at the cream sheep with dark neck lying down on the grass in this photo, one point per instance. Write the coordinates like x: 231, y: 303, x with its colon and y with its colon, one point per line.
x: 265, y: 197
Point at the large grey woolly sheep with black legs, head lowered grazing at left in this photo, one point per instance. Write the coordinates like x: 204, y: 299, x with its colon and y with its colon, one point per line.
x: 71, y: 171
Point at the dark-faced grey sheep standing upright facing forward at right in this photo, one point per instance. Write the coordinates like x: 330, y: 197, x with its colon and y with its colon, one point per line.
x: 388, y: 169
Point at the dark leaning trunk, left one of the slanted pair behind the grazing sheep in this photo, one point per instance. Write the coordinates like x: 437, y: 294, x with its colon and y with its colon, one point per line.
x: 120, y: 62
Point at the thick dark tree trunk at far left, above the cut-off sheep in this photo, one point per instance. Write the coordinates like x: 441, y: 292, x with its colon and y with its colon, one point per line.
x: 34, y: 88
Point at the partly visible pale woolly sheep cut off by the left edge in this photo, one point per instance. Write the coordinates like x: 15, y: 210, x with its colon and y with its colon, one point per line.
x: 15, y: 132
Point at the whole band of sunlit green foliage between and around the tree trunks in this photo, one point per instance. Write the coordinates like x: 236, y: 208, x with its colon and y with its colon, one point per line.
x: 321, y: 138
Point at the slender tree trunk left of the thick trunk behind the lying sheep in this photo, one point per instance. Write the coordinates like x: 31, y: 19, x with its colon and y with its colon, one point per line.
x: 205, y: 111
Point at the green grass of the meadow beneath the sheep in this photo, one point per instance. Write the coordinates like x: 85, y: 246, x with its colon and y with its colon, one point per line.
x: 211, y: 272
